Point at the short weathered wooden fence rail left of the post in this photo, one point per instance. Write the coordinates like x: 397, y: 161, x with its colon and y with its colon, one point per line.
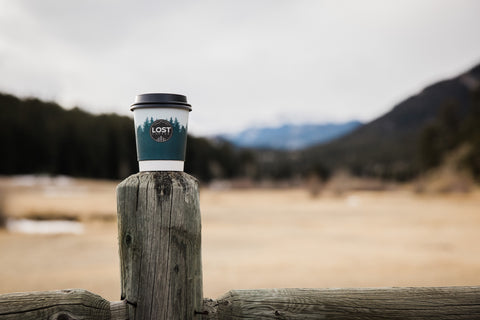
x: 55, y: 305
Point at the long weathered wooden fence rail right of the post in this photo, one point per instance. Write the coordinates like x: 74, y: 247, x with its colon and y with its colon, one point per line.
x: 362, y: 303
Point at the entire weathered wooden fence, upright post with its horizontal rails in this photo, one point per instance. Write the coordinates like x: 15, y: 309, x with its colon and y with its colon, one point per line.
x: 161, y: 275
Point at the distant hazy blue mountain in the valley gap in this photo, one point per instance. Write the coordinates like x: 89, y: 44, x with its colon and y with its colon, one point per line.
x: 289, y: 136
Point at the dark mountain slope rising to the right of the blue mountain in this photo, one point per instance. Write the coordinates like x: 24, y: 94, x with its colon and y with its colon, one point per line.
x: 389, y: 146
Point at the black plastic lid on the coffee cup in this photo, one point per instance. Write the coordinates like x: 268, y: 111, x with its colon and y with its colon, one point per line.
x: 153, y: 100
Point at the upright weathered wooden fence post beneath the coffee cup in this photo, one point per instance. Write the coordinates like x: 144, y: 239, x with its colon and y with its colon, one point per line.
x: 159, y: 231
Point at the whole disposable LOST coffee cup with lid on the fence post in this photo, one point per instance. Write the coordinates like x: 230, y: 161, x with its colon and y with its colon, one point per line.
x: 161, y: 131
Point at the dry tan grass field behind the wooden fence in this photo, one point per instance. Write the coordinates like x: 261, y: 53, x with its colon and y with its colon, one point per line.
x: 253, y: 238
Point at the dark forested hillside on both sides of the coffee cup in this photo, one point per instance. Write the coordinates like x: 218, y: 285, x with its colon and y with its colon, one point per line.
x: 39, y: 137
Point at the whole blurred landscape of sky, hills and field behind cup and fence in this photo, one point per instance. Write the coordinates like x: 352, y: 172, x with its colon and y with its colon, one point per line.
x: 337, y: 143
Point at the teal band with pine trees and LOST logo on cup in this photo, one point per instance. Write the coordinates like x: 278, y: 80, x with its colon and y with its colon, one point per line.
x: 161, y: 139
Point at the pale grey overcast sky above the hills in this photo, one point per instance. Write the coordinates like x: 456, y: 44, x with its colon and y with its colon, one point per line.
x: 240, y: 63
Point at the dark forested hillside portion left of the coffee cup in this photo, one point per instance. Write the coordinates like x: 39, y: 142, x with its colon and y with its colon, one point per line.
x: 42, y: 137
